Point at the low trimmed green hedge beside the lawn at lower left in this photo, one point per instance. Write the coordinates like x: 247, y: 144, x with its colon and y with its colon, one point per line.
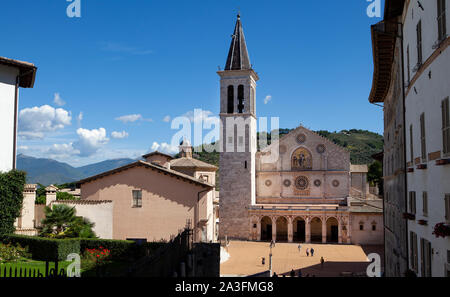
x: 45, y: 249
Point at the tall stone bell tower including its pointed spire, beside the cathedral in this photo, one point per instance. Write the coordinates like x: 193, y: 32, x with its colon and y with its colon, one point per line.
x: 238, y: 139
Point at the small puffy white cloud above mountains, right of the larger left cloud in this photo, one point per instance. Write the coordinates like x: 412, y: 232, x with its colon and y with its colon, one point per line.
x: 90, y: 141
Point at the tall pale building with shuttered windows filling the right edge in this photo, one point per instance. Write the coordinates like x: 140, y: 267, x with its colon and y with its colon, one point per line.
x: 412, y: 63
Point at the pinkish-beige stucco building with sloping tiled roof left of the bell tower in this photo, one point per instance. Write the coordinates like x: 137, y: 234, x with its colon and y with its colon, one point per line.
x: 152, y: 199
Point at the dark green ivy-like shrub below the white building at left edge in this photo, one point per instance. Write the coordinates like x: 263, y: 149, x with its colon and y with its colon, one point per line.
x: 11, y: 198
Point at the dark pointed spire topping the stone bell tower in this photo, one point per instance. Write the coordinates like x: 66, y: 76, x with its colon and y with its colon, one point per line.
x: 238, y: 56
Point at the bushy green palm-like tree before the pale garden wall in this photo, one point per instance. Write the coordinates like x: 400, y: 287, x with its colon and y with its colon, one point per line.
x: 61, y: 222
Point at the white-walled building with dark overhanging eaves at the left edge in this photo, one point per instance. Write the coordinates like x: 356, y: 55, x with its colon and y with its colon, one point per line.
x: 13, y: 75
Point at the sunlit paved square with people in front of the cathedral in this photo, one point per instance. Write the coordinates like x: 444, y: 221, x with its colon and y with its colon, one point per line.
x: 245, y: 259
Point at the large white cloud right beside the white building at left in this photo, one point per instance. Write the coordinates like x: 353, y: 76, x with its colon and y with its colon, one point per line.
x: 36, y: 121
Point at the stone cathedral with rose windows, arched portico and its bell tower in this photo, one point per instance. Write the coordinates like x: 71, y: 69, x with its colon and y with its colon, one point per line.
x: 301, y: 188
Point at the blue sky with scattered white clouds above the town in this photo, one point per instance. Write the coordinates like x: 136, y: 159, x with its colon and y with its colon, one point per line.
x: 125, y: 66
